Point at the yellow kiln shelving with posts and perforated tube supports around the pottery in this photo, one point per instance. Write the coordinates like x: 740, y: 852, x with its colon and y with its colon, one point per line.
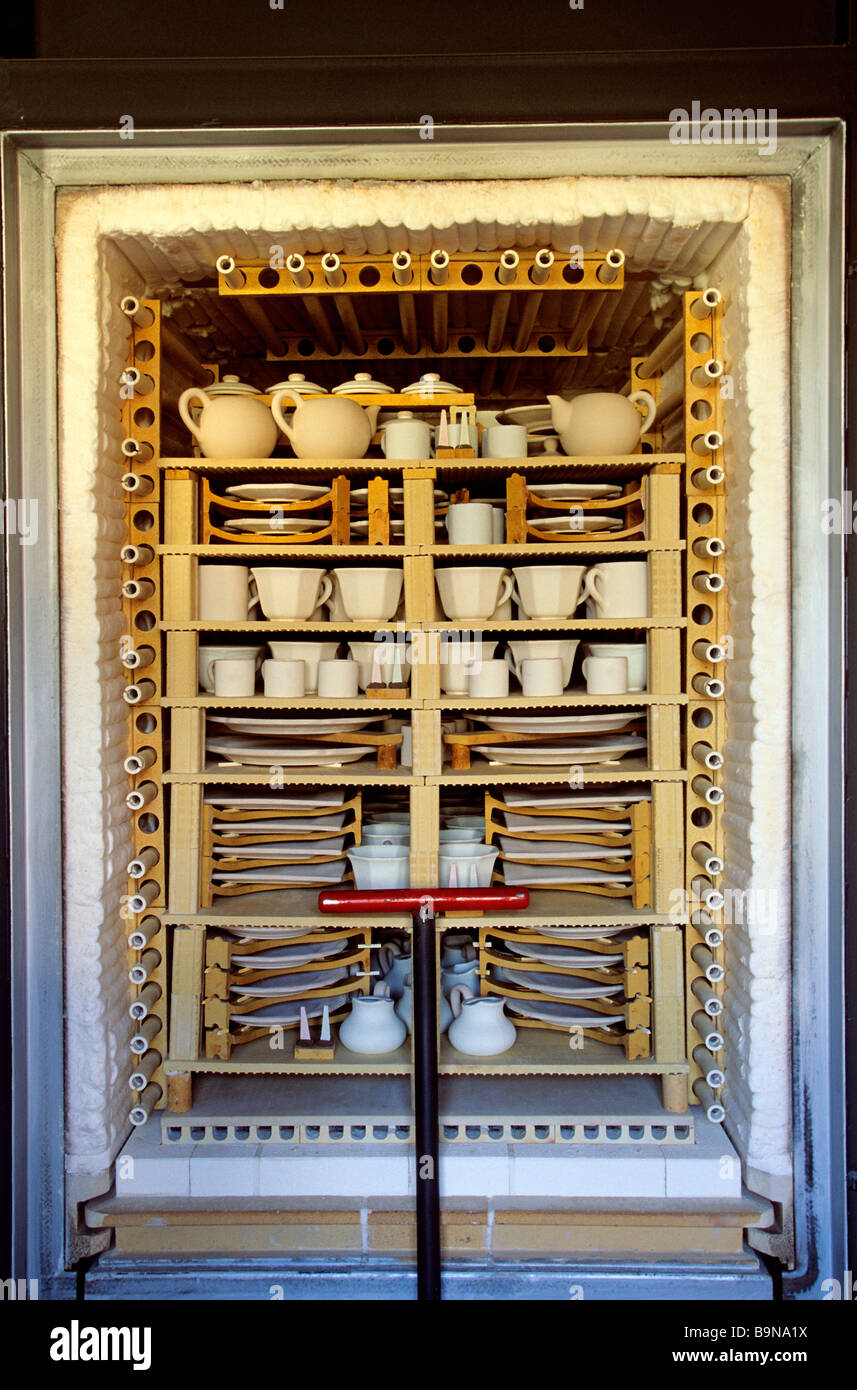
x: 173, y: 511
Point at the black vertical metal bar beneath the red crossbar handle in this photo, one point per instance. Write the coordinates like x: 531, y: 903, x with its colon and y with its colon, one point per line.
x: 426, y: 1106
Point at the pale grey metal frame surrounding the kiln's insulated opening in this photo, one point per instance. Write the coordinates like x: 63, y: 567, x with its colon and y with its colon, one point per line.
x: 812, y: 154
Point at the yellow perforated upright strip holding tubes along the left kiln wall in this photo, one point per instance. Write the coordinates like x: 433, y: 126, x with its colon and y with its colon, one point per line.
x: 141, y: 395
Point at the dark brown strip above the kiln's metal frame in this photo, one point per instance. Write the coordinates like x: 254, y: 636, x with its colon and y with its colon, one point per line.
x: 240, y: 63
